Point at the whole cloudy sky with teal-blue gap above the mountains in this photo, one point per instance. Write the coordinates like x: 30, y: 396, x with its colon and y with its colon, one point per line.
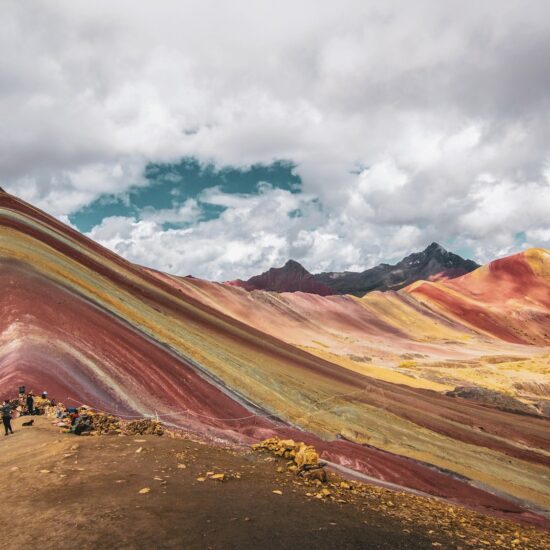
x: 222, y: 138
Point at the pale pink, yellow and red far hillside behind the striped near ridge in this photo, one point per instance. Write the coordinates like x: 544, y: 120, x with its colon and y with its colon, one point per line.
x: 409, y: 336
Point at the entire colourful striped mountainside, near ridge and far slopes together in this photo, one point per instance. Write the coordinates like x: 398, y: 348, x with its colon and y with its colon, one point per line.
x: 371, y: 381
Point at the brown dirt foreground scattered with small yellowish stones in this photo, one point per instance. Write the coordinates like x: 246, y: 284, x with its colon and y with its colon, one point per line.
x: 125, y: 491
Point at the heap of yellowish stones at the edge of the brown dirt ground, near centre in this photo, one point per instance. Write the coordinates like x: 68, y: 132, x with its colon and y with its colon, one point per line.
x: 301, y: 458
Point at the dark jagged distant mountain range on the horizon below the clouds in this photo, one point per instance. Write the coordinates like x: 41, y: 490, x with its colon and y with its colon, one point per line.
x: 433, y: 263
